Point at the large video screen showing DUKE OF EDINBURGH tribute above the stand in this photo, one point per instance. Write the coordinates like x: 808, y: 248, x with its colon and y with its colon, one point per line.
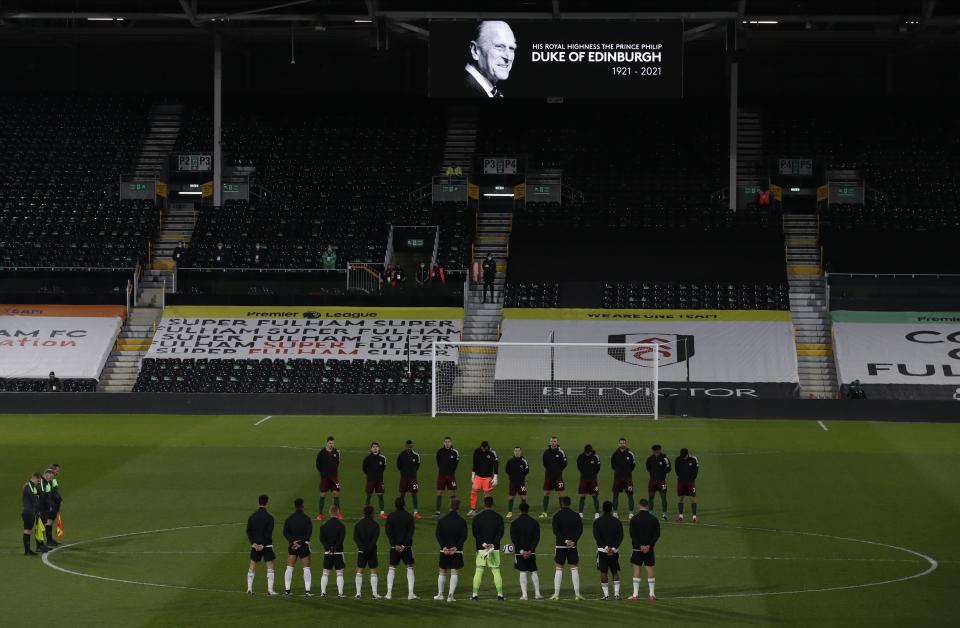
x: 543, y: 59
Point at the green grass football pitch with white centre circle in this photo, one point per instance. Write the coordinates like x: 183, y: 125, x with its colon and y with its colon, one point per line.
x: 799, y: 525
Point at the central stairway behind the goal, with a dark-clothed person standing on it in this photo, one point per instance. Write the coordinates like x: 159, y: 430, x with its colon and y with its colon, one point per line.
x: 481, y: 321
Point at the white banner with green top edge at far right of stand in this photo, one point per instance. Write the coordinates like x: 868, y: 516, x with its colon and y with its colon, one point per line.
x: 899, y: 355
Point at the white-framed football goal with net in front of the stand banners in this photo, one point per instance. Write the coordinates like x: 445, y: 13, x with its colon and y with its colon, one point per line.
x: 608, y: 379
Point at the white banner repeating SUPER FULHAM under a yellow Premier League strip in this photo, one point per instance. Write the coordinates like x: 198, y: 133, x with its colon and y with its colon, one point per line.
x: 330, y: 333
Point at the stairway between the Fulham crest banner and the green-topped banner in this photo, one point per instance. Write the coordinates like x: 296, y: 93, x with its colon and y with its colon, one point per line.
x: 809, y: 308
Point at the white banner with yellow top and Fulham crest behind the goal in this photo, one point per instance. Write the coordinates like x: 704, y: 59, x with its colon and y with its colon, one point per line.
x: 702, y: 353
